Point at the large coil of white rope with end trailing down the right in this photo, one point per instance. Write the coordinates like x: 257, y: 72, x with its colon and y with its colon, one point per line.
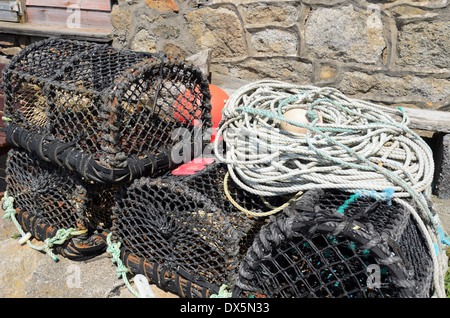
x: 349, y: 144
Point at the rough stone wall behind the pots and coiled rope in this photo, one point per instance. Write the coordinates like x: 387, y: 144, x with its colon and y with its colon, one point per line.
x: 387, y: 51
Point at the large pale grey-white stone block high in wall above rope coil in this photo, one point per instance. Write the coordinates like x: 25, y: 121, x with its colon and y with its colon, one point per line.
x: 344, y: 34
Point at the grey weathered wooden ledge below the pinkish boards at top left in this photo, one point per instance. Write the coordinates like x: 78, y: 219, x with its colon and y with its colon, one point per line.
x: 87, y: 34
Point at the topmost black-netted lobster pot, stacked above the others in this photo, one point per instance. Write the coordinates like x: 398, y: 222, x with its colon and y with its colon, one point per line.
x: 110, y: 115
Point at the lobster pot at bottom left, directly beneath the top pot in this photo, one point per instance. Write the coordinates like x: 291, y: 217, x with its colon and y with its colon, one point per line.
x: 48, y: 198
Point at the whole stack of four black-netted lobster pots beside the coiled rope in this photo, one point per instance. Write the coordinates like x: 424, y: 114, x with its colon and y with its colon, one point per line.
x: 105, y: 143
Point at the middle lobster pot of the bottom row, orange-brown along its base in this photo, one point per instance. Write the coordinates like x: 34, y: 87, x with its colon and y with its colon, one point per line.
x: 182, y: 232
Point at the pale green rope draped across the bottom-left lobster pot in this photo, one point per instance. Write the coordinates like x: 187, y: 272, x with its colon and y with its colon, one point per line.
x: 61, y: 236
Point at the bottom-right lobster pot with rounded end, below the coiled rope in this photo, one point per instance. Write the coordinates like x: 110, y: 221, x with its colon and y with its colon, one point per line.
x: 372, y: 249
